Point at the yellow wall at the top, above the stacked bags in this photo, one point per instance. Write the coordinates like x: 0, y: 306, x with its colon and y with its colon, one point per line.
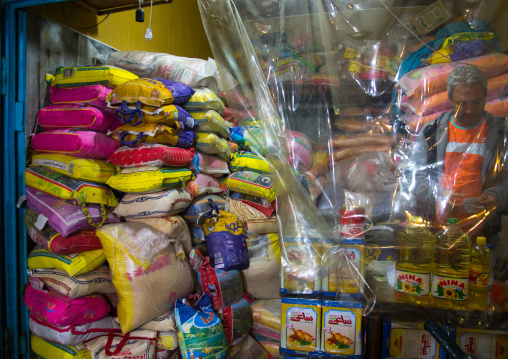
x: 177, y: 27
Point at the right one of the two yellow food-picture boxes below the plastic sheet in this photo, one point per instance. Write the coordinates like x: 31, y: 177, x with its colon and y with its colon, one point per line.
x: 342, y: 328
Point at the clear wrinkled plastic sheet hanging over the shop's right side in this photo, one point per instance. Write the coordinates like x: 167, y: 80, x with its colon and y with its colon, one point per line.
x: 341, y: 91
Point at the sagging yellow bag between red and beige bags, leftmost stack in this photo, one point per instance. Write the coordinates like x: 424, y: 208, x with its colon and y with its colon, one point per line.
x: 74, y: 264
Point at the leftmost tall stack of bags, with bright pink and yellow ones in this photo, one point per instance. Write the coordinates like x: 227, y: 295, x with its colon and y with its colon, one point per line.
x: 67, y: 200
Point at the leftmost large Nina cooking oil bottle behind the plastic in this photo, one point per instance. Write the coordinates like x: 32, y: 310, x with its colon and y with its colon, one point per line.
x: 415, y: 252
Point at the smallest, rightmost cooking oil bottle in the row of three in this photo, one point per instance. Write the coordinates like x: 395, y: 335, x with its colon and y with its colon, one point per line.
x: 479, y: 275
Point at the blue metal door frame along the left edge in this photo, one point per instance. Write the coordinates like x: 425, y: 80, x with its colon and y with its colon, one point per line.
x: 14, y: 333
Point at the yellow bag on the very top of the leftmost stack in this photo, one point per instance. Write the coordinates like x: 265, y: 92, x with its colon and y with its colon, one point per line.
x: 90, y: 75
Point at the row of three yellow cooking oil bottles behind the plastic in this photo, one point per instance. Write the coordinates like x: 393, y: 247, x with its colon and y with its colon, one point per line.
x: 444, y: 270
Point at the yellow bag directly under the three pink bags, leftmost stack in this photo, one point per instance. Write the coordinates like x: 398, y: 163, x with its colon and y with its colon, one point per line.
x: 78, y: 168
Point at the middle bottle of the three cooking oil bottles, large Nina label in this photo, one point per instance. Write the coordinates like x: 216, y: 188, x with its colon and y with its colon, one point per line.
x: 450, y: 271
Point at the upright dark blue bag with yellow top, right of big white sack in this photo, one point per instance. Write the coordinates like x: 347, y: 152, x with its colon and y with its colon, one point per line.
x: 225, y: 240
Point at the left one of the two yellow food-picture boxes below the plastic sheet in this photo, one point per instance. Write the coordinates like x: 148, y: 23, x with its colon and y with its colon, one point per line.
x: 301, y: 324
